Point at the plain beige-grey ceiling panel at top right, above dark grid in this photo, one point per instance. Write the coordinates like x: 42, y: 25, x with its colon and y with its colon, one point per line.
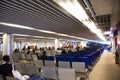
x: 102, y: 7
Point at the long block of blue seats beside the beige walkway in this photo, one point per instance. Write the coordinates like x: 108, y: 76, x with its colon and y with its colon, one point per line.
x: 89, y: 57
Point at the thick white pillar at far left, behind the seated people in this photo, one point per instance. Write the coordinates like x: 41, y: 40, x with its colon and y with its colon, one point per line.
x: 7, y: 44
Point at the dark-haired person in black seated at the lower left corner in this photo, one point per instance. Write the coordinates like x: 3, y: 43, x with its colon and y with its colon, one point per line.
x: 6, y: 68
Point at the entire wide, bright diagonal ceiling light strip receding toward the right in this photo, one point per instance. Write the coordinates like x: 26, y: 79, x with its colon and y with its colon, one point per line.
x: 75, y: 9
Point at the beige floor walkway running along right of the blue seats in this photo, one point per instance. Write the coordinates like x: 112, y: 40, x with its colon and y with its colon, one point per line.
x: 105, y: 69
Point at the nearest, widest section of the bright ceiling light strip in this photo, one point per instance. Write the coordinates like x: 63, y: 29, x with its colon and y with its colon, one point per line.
x: 73, y: 7
